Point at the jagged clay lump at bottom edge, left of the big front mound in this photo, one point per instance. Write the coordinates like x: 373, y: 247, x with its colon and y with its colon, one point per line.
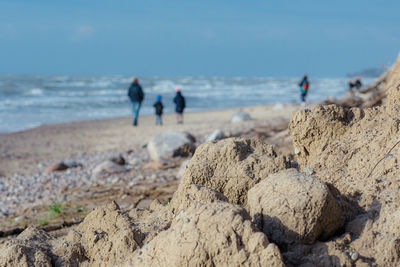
x: 107, y: 235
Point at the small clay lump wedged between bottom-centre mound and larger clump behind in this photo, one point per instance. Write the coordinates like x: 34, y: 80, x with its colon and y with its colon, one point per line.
x: 193, y: 194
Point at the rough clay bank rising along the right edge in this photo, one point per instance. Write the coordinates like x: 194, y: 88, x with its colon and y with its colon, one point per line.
x: 357, y: 151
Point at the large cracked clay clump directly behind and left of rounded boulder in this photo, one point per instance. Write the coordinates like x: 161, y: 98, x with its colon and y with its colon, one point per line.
x: 231, y: 166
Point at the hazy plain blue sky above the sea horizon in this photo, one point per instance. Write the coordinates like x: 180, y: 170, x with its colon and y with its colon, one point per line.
x: 197, y: 38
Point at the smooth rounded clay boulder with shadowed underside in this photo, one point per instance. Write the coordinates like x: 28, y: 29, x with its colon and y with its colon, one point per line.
x: 290, y: 207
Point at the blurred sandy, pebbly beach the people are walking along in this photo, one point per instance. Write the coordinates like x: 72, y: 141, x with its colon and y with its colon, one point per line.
x: 27, y: 190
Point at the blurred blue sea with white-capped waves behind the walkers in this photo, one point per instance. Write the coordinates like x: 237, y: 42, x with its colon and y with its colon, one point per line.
x: 27, y: 101
